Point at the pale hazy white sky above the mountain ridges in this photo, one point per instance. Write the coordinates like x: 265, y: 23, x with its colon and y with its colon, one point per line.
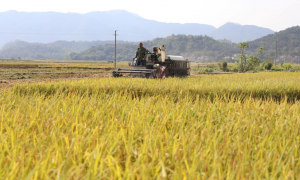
x: 274, y: 14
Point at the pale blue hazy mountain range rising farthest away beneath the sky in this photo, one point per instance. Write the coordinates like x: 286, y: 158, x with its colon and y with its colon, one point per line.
x: 46, y: 27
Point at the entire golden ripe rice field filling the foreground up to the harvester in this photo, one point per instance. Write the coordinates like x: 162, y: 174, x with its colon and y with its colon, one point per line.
x: 237, y: 126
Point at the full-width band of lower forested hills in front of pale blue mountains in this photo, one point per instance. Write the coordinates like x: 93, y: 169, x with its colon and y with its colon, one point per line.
x: 189, y: 46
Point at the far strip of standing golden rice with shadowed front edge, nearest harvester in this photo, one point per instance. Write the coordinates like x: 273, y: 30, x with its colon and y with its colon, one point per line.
x: 276, y: 86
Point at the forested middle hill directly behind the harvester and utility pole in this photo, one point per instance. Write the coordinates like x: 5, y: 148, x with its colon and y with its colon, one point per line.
x: 176, y: 45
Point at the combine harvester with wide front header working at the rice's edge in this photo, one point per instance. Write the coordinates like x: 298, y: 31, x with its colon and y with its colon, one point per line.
x: 158, y: 65
